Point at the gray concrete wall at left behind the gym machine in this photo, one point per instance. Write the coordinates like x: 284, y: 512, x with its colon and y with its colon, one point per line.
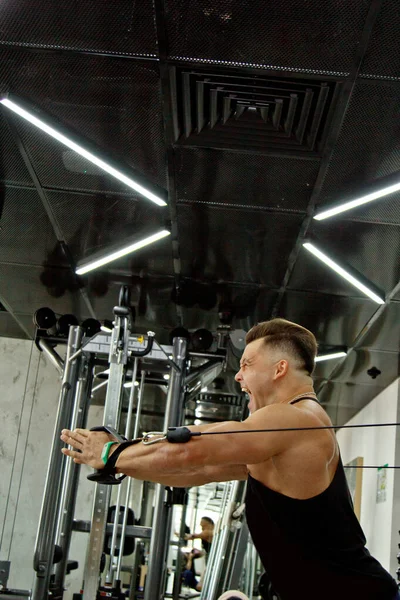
x: 29, y: 389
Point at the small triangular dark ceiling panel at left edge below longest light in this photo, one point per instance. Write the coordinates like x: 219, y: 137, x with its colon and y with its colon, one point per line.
x: 12, y: 167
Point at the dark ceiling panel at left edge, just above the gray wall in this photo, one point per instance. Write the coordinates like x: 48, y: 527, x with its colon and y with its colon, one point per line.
x: 27, y: 293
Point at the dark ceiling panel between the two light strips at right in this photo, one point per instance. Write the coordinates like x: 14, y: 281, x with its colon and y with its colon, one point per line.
x: 370, y: 248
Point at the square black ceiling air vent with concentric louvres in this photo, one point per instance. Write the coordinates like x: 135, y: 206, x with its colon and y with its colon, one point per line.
x: 258, y: 113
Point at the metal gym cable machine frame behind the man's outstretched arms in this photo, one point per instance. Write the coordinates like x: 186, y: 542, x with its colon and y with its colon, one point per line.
x: 57, y: 515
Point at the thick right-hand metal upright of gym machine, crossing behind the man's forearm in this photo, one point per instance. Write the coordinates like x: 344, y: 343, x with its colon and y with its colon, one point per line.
x: 154, y: 589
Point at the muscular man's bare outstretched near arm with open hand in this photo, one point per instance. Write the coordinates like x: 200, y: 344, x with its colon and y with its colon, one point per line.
x: 161, y: 461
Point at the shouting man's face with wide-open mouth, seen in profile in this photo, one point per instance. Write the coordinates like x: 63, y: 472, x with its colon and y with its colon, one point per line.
x: 256, y: 373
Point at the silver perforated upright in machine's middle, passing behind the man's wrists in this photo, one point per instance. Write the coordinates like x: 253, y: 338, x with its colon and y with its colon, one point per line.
x: 112, y: 410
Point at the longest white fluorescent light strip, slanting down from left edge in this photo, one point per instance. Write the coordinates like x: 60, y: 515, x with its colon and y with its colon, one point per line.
x: 88, y: 155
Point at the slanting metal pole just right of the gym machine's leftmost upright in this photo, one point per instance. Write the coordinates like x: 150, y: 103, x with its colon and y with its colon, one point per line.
x: 72, y: 470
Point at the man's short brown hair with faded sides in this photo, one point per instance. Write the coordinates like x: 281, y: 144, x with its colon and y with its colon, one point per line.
x: 289, y: 337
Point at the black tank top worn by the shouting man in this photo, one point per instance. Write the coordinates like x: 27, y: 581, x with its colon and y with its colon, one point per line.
x: 315, y: 548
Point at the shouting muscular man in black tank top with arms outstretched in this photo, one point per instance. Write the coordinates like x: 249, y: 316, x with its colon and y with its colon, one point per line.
x: 298, y: 507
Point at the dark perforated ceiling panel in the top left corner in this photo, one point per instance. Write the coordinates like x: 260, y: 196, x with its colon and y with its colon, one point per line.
x: 112, y: 26
